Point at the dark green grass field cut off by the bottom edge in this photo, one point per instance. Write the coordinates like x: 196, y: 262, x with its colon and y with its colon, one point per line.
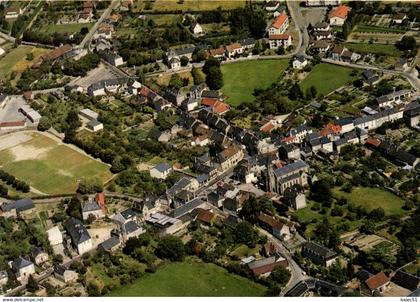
x: 190, y: 279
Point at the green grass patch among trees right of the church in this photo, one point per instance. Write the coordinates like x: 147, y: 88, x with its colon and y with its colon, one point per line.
x: 372, y: 198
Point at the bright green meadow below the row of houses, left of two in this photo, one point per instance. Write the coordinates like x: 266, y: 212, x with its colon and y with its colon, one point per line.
x: 240, y: 79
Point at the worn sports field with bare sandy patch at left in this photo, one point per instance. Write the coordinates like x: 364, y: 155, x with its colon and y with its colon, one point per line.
x: 47, y: 165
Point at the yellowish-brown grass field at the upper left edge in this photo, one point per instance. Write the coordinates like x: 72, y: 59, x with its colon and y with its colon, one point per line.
x: 15, y: 60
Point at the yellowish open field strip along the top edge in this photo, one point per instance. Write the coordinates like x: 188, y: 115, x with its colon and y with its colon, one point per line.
x: 194, y: 5
